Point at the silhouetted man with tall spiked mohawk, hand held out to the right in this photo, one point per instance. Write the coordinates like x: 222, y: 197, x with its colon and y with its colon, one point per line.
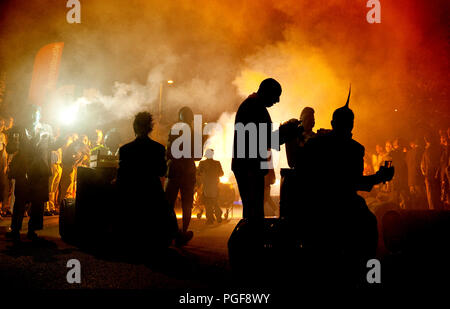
x: 337, y: 225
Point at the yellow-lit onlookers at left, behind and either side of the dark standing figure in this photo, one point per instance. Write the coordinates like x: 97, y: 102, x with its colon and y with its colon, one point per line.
x: 74, y: 151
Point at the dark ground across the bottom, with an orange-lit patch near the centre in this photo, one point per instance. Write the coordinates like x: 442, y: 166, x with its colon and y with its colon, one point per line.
x: 200, y: 266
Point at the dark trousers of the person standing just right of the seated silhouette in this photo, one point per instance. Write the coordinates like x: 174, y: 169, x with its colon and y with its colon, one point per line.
x: 186, y: 189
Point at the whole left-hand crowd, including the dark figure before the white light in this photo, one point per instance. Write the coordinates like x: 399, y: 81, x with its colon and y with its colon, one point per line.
x: 39, y: 166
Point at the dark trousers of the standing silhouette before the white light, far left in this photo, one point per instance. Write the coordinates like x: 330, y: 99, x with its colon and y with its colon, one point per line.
x: 22, y: 196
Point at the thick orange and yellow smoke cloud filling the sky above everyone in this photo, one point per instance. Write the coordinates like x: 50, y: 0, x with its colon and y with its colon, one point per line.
x: 217, y: 52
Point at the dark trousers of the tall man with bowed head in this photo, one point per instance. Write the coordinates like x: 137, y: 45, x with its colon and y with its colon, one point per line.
x: 251, y: 189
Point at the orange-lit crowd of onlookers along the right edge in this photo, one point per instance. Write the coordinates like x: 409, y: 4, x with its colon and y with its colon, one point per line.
x: 421, y: 178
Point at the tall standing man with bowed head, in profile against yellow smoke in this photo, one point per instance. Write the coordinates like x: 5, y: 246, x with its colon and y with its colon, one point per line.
x: 252, y: 143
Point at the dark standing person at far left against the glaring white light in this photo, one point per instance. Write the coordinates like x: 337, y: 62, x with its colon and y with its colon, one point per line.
x: 30, y: 144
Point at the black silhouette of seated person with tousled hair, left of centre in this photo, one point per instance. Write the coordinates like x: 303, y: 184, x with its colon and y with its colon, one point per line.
x: 150, y: 222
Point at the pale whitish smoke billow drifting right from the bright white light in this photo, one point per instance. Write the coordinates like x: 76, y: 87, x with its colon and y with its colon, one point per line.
x: 204, y: 94
